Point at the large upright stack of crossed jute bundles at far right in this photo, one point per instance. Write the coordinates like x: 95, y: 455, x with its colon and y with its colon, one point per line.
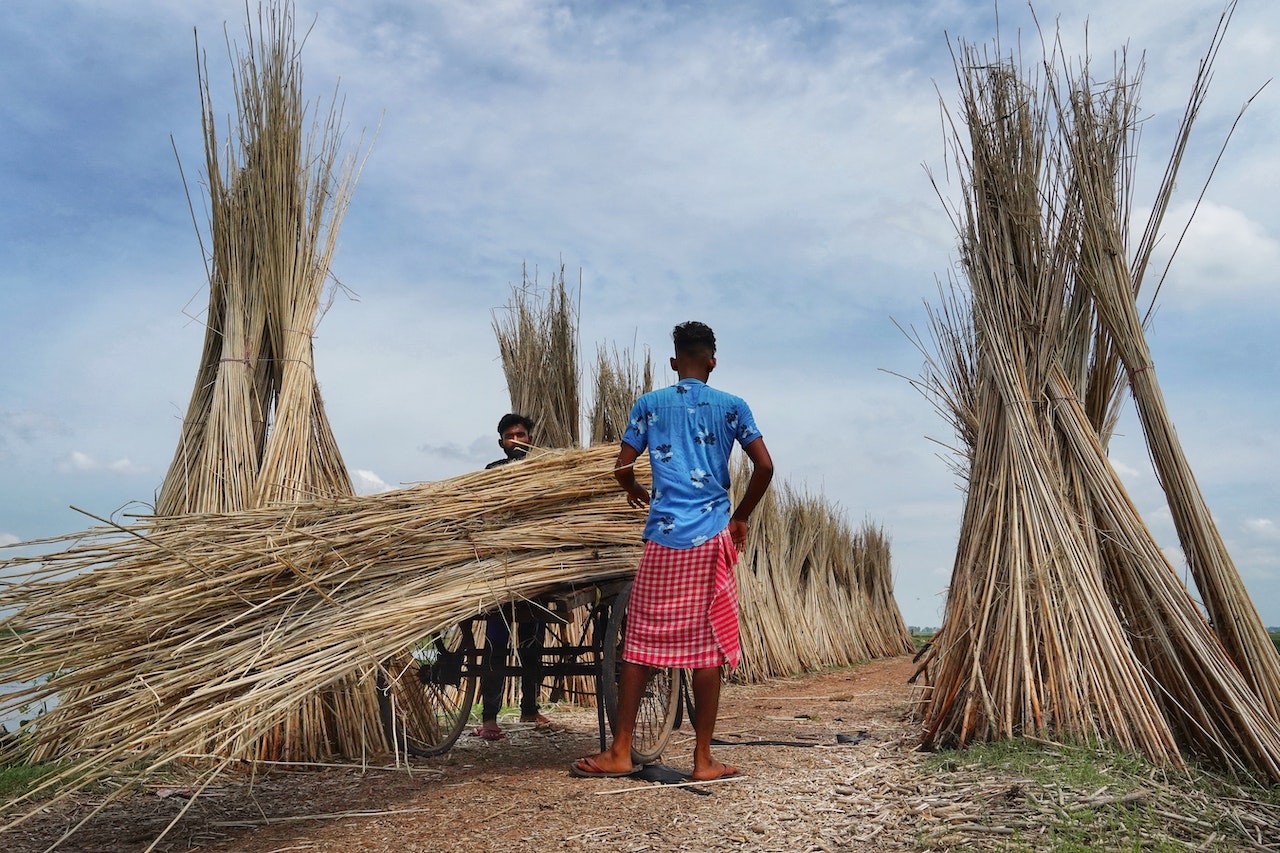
x: 1064, y: 618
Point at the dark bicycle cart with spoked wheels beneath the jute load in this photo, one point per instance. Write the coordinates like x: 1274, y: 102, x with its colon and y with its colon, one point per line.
x: 426, y: 695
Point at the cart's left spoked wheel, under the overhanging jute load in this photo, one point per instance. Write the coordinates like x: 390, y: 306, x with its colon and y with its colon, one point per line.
x: 426, y: 694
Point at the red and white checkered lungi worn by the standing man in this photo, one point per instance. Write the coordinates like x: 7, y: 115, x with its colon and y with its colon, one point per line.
x: 684, y: 606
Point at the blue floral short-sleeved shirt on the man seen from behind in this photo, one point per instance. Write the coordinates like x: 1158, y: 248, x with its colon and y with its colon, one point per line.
x: 689, y: 431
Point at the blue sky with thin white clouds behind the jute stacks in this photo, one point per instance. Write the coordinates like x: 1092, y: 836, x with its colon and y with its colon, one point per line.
x: 758, y: 166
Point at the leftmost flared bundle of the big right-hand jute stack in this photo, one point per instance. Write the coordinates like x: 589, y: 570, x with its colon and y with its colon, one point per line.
x: 1026, y: 646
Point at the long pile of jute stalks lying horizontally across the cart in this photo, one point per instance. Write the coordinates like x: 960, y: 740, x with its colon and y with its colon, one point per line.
x: 166, y: 640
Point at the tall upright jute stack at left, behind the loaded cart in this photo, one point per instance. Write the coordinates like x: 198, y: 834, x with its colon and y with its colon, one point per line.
x: 257, y: 432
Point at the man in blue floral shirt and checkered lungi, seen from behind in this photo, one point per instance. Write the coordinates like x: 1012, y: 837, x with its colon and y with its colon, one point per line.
x: 684, y: 605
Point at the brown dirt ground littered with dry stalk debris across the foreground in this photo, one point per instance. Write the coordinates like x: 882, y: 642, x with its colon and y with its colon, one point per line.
x: 876, y: 793
